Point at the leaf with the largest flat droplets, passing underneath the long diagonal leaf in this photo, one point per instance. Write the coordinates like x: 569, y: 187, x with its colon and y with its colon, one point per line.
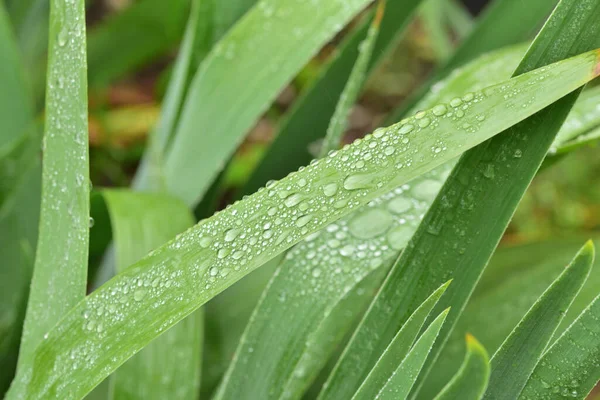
x: 369, y: 238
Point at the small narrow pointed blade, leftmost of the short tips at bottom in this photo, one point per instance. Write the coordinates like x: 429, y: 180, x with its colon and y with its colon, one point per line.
x: 398, y: 349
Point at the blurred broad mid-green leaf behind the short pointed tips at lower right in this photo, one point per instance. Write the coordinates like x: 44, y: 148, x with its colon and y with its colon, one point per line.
x: 516, y: 277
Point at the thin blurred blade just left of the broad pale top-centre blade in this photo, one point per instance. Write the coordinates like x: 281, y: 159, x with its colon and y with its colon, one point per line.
x: 194, y: 47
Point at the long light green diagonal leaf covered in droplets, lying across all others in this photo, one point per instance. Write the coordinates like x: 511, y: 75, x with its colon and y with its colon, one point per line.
x: 203, y: 261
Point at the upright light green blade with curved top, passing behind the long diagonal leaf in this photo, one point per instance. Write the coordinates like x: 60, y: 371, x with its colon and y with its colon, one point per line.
x: 175, y: 355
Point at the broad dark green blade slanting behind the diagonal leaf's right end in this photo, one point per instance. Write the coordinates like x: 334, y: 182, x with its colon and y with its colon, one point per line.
x: 492, y: 176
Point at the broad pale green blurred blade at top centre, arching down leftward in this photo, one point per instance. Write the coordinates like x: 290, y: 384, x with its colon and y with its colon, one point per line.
x: 285, y: 32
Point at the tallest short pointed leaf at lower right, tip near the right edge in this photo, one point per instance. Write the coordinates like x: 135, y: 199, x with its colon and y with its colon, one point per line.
x: 516, y: 359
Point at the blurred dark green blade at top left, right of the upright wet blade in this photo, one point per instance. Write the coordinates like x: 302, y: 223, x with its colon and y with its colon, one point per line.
x: 143, y: 32
